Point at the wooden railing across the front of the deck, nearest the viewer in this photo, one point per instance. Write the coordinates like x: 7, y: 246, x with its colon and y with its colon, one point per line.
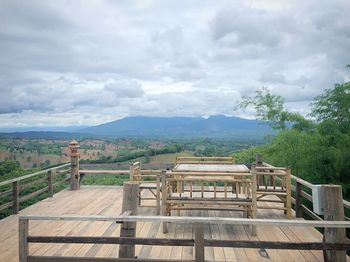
x: 199, y: 242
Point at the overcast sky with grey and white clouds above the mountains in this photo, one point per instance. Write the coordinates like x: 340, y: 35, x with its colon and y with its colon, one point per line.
x: 88, y: 62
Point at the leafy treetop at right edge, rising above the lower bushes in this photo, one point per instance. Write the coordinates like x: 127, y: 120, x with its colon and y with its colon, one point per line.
x: 334, y: 105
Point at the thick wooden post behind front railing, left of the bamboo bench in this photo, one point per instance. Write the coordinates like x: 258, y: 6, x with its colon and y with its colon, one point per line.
x: 128, y: 229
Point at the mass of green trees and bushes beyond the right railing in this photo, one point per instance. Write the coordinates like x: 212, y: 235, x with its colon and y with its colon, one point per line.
x: 318, y: 152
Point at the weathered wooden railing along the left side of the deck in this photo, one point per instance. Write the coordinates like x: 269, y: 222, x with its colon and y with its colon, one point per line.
x: 20, y: 189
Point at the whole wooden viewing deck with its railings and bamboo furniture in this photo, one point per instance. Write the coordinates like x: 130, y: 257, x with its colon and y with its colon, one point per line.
x: 203, y: 209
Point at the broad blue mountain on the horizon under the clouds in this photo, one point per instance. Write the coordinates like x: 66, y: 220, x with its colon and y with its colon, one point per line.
x: 181, y: 127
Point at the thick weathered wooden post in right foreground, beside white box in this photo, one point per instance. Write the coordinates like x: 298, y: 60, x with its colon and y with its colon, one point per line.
x: 334, y: 211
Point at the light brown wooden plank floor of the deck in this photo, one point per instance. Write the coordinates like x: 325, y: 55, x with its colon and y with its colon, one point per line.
x: 99, y: 200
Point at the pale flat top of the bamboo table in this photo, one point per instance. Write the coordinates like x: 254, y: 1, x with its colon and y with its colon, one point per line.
x: 211, y: 167
